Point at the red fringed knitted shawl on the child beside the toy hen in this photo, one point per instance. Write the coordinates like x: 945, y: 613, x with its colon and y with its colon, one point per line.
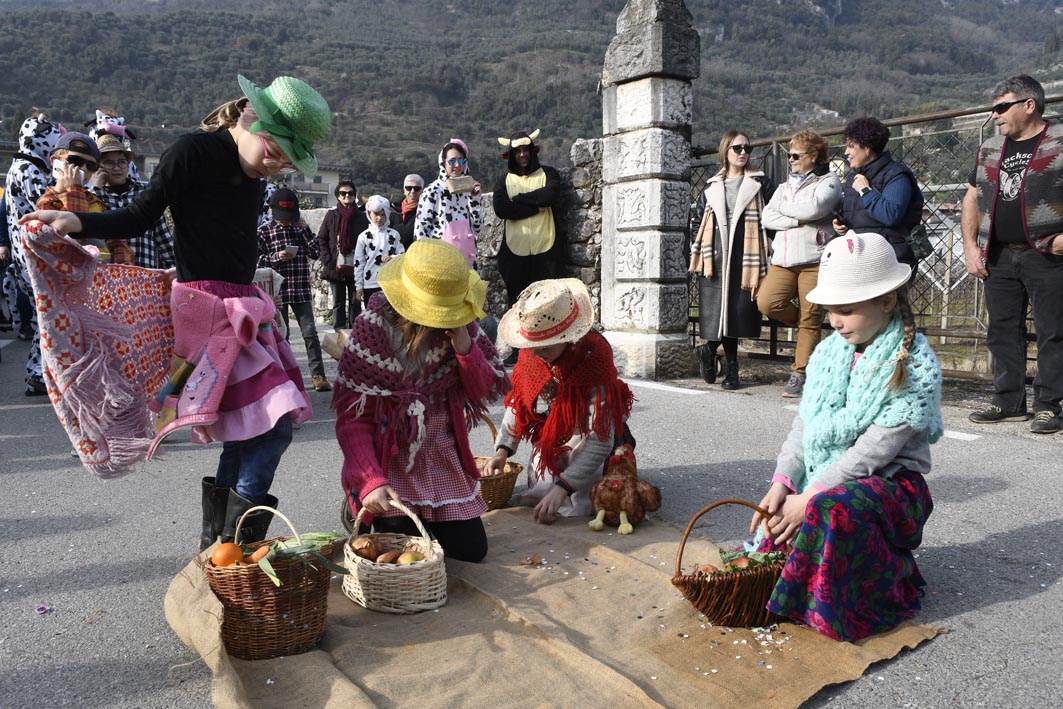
x: 584, y: 366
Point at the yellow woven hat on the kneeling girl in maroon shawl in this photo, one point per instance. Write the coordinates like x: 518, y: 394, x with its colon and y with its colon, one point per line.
x: 432, y: 285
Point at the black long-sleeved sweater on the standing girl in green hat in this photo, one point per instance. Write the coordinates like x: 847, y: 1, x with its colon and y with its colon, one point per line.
x: 214, y: 205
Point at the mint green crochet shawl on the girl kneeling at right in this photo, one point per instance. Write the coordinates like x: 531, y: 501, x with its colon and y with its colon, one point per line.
x: 840, y: 401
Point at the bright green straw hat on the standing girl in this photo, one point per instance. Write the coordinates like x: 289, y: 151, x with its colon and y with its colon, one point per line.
x: 296, y: 115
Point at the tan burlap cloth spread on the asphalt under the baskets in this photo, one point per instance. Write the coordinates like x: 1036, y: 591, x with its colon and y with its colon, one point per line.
x: 596, y: 623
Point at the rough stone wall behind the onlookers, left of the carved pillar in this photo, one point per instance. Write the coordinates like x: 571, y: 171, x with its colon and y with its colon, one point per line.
x: 580, y: 220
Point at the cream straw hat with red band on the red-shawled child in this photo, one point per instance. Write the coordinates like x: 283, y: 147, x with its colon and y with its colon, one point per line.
x: 549, y: 313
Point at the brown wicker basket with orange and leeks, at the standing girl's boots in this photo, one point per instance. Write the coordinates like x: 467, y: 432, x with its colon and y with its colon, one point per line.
x: 262, y: 620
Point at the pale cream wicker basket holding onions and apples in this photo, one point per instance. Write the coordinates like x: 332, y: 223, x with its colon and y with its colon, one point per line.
x: 392, y: 588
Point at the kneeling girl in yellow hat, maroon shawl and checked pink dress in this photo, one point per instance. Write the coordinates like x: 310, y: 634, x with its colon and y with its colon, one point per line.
x: 416, y: 370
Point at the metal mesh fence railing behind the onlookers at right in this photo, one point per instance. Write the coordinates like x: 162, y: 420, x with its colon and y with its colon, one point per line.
x: 949, y: 303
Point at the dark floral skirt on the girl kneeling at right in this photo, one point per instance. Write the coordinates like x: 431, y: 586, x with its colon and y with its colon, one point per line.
x: 852, y: 573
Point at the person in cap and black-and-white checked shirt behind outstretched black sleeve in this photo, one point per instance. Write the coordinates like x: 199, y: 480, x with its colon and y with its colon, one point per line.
x: 116, y: 189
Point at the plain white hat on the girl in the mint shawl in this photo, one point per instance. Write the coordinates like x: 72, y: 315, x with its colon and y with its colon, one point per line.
x: 855, y: 268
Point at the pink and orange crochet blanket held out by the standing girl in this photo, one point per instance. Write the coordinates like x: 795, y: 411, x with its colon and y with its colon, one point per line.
x: 107, y: 342
